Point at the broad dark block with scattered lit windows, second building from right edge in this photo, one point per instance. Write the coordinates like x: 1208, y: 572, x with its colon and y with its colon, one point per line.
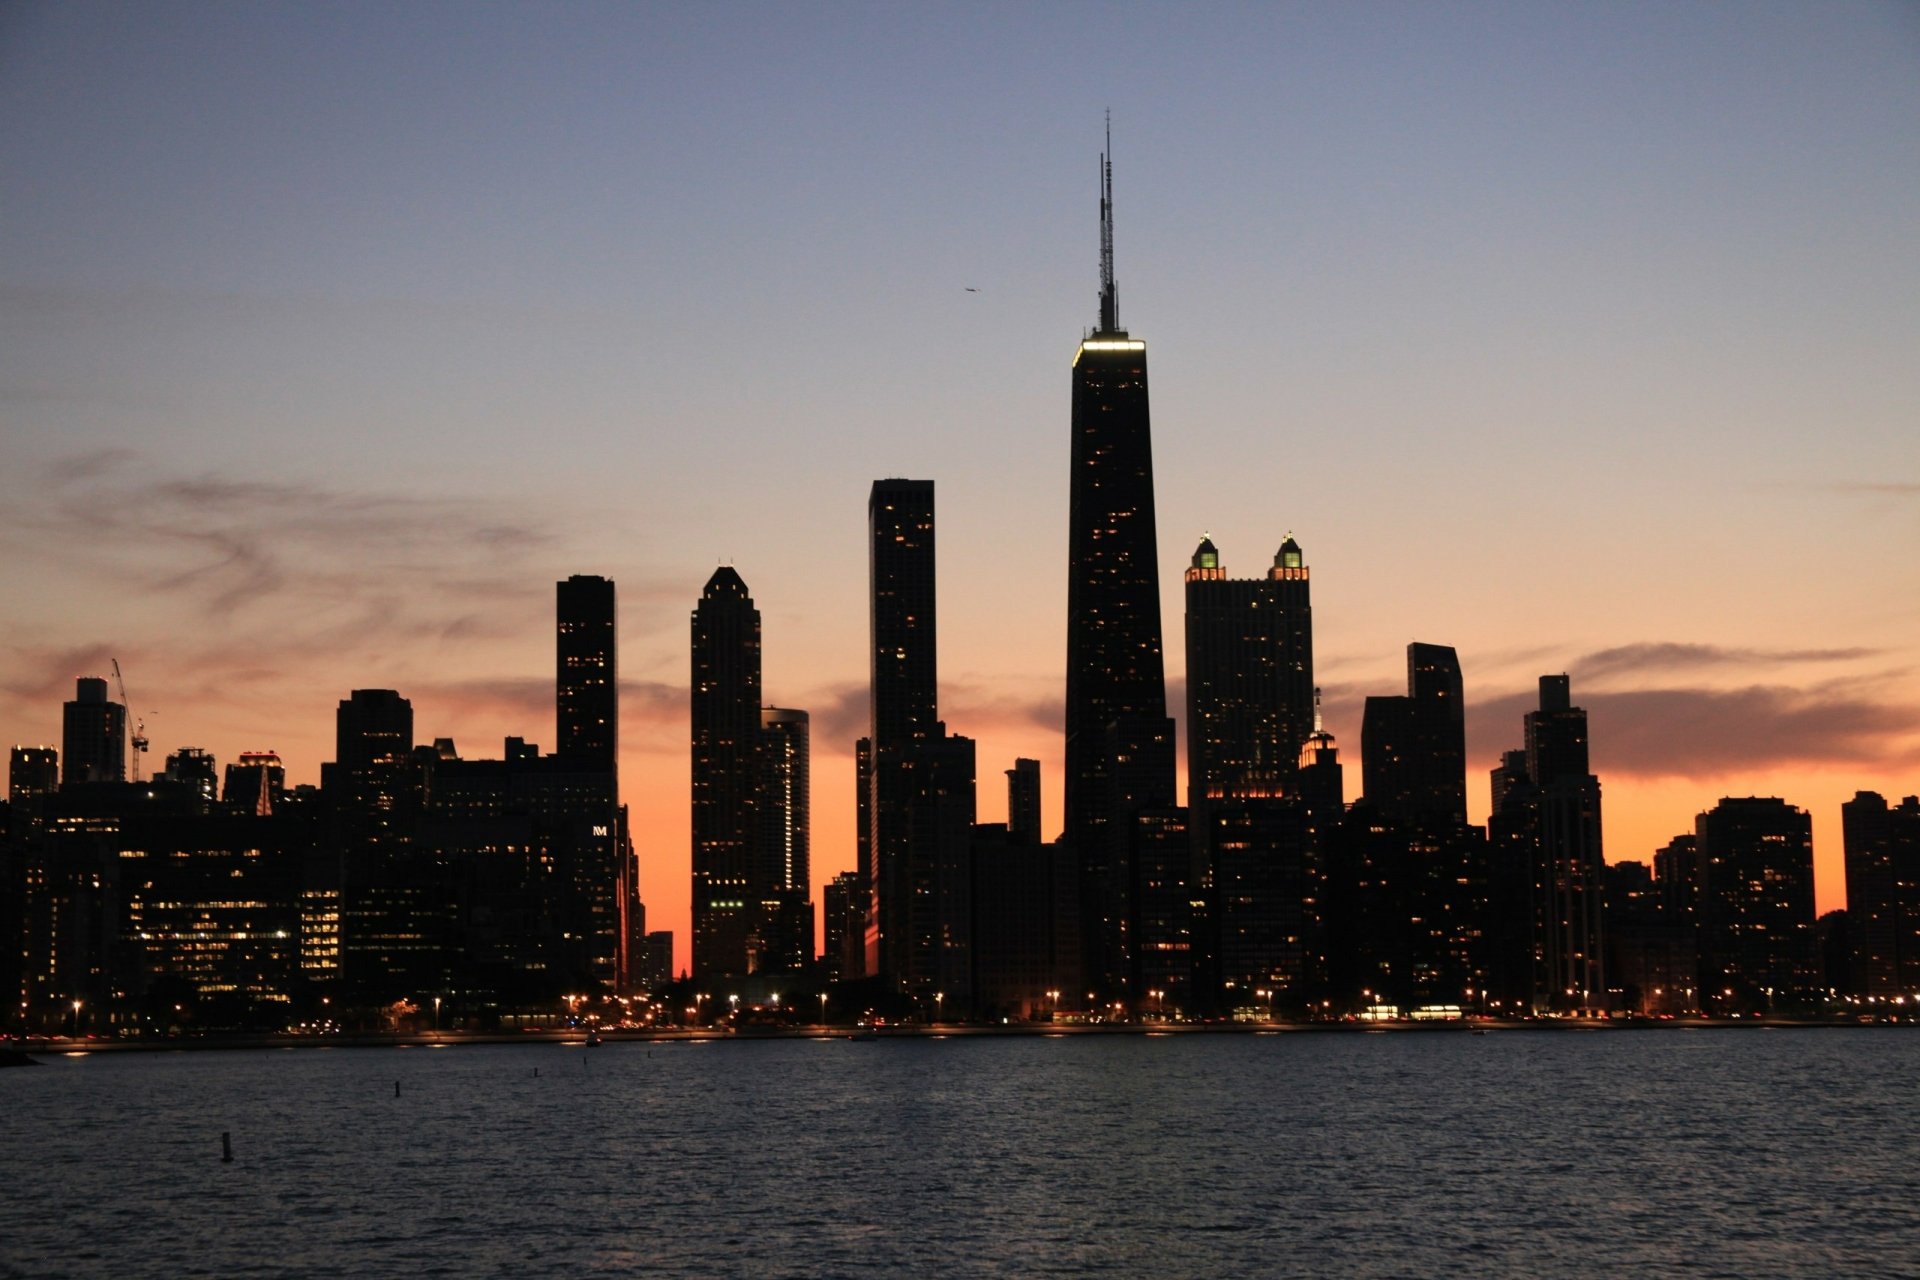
x: 1756, y: 905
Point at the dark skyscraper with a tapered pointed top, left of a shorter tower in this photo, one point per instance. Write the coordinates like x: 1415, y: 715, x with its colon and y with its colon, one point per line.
x: 727, y: 772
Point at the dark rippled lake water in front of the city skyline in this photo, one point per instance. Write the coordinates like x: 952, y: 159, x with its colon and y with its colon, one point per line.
x: 1403, y: 1154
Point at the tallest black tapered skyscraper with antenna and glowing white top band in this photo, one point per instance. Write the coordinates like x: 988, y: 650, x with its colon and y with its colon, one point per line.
x: 1118, y: 736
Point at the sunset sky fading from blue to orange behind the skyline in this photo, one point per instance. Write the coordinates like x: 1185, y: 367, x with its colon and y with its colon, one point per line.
x: 1583, y: 339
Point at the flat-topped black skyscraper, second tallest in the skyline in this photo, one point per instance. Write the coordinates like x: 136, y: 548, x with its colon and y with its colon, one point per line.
x: 905, y: 703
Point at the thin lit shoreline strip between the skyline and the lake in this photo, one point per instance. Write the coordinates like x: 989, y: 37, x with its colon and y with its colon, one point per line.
x: 68, y: 1047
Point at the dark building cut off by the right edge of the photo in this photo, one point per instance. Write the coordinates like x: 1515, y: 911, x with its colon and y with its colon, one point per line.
x: 1883, y: 859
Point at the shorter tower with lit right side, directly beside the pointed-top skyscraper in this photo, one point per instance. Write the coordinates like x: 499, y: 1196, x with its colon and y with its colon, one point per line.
x: 782, y: 872
